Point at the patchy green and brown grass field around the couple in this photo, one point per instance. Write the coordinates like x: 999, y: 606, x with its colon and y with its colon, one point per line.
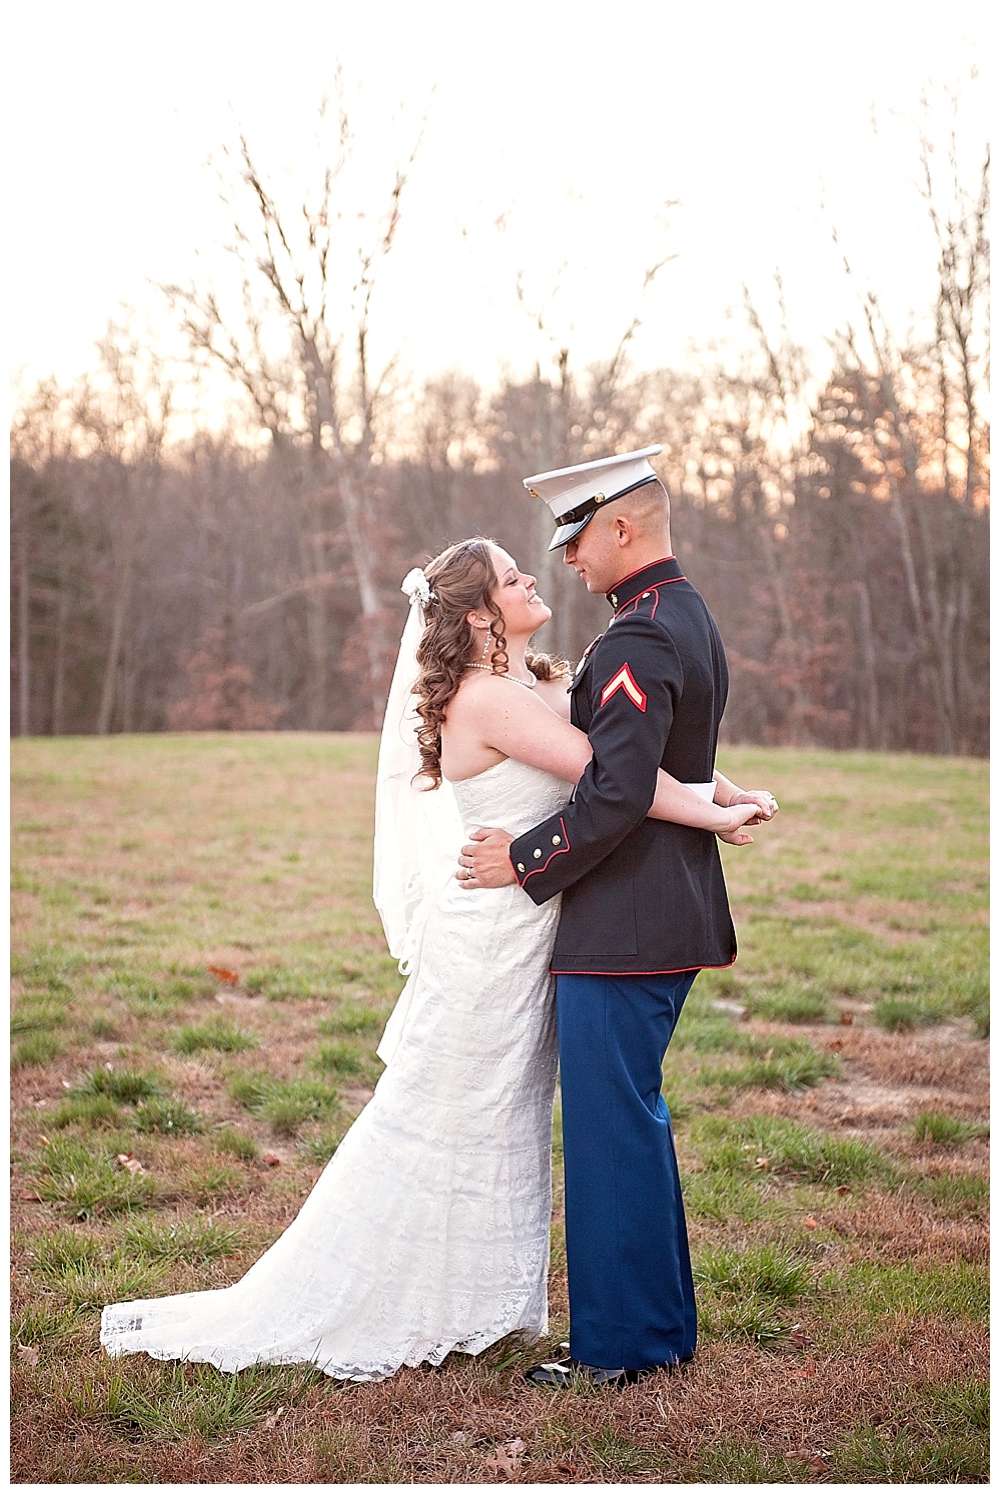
x: 200, y: 987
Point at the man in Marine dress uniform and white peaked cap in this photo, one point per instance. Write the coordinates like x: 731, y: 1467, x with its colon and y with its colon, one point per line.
x: 643, y: 909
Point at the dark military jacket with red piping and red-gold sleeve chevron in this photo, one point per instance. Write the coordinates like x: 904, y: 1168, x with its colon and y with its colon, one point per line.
x: 639, y: 896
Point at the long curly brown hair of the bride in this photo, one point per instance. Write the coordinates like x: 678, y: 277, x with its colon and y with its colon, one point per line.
x: 463, y: 580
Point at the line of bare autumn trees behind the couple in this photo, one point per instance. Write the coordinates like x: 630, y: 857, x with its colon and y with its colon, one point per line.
x: 247, y: 577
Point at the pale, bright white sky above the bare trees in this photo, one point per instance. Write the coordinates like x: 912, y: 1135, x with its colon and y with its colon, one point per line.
x: 567, y: 147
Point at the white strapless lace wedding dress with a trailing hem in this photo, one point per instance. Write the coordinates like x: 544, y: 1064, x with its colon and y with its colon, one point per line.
x: 428, y: 1232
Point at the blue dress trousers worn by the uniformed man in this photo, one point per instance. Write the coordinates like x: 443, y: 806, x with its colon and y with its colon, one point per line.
x: 632, y: 1296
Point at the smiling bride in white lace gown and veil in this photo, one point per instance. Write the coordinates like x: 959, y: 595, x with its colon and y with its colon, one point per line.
x: 428, y: 1232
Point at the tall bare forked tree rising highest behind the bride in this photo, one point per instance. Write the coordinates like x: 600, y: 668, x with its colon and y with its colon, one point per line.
x: 318, y: 395
